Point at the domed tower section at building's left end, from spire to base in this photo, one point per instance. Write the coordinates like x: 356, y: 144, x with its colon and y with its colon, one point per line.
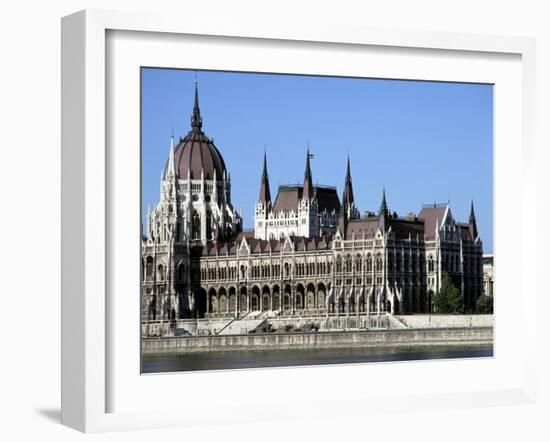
x: 194, y: 209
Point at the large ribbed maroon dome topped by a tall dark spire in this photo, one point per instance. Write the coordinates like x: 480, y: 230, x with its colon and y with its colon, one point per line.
x: 196, y: 154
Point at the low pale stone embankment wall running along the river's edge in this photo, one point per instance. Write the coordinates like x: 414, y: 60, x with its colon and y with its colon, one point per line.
x: 387, y: 338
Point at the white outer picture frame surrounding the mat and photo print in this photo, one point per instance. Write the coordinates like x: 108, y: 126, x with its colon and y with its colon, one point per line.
x: 87, y: 319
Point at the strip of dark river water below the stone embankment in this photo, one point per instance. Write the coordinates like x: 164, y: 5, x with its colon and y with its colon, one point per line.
x: 223, y: 360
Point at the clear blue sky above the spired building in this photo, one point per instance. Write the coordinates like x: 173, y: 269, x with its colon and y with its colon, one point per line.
x: 423, y: 141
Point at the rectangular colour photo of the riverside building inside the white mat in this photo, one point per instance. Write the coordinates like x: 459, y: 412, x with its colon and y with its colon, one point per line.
x: 305, y: 277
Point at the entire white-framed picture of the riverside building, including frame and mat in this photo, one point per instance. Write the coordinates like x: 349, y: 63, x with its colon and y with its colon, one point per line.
x: 288, y: 209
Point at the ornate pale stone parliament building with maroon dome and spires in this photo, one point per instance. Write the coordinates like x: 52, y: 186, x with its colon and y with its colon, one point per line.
x: 310, y: 253
